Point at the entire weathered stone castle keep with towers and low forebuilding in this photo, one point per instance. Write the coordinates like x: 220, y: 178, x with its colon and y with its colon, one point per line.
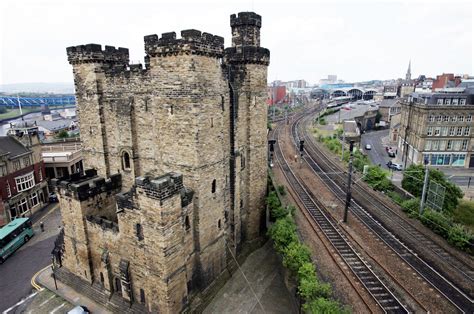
x: 177, y: 153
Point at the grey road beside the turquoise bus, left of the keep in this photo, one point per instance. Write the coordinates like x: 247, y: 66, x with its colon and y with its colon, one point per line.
x: 18, y: 269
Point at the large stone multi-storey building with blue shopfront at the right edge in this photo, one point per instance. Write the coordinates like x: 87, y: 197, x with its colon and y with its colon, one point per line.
x: 438, y: 128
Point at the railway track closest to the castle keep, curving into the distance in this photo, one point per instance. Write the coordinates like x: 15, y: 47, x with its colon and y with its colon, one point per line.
x: 384, y: 297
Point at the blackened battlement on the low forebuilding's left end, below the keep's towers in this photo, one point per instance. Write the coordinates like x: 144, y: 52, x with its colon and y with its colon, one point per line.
x: 82, y: 187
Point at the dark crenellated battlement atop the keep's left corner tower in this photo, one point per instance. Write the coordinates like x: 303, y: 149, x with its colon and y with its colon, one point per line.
x: 93, y: 53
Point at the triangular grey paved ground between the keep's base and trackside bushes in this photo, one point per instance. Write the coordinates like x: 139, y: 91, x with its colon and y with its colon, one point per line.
x: 261, y: 290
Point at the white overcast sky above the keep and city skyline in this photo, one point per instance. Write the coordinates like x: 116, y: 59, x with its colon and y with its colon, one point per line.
x: 357, y: 40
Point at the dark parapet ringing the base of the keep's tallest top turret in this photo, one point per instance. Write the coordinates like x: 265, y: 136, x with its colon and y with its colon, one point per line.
x: 247, y: 55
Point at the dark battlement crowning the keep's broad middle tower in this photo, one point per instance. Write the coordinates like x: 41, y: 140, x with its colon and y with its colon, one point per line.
x: 191, y: 42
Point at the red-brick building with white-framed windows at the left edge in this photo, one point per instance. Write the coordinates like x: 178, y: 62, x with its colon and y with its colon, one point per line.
x: 23, y: 188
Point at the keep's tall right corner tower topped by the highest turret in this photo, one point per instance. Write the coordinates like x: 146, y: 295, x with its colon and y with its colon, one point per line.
x: 247, y: 63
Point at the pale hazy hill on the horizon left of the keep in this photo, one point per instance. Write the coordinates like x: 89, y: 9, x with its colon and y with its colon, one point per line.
x: 54, y: 88
